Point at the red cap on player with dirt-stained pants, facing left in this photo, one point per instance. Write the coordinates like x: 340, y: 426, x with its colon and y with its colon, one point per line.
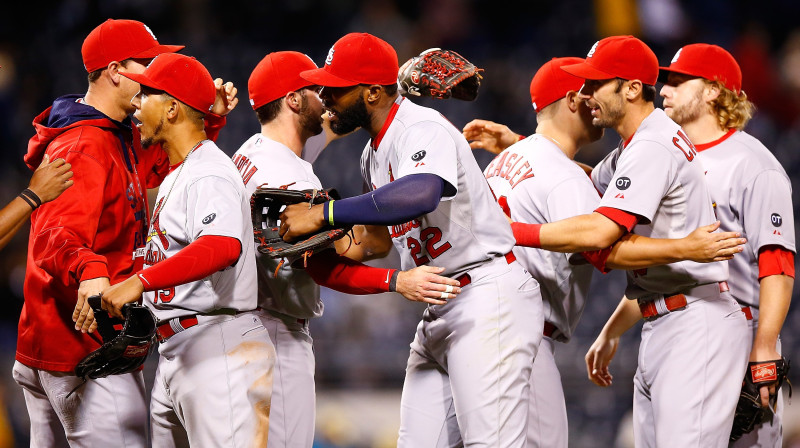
x: 183, y: 77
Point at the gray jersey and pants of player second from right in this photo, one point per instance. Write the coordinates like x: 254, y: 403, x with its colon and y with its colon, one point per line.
x: 657, y: 177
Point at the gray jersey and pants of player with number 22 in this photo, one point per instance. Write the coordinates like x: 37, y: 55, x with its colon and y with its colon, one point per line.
x: 468, y: 373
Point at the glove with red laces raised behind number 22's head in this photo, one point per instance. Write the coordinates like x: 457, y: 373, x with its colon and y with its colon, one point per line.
x: 440, y: 74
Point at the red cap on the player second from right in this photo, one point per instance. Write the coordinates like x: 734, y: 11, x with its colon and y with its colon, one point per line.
x: 623, y: 57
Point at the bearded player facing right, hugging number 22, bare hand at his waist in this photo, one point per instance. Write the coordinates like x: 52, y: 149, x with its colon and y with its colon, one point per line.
x: 290, y: 113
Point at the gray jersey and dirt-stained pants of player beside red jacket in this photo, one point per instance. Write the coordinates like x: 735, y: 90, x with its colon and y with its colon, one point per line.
x: 229, y: 356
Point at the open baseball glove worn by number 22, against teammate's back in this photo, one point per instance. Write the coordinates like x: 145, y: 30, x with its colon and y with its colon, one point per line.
x: 266, y: 205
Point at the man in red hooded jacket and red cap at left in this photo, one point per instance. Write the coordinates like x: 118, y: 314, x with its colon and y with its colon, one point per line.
x: 85, y: 239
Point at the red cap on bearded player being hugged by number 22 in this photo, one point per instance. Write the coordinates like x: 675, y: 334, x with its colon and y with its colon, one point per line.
x: 276, y: 75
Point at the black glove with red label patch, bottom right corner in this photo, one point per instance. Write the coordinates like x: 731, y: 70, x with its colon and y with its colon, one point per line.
x: 749, y: 412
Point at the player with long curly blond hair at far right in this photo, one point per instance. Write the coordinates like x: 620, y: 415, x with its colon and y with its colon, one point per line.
x: 752, y: 195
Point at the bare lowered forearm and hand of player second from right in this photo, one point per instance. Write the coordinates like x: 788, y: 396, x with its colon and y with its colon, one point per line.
x: 605, y: 346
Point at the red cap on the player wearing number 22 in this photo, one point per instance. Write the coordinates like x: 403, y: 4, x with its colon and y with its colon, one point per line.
x: 356, y: 58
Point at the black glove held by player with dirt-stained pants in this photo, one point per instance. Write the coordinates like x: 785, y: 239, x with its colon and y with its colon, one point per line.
x: 126, y: 343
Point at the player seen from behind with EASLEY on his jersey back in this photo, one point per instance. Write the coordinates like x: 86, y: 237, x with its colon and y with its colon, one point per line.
x: 553, y: 188
